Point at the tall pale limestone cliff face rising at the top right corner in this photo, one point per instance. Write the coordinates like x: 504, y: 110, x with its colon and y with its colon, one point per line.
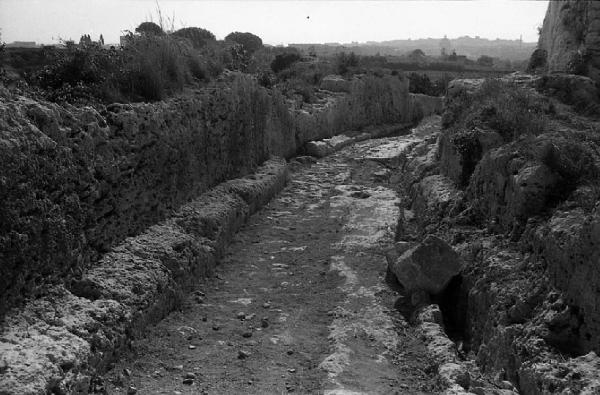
x: 571, y: 37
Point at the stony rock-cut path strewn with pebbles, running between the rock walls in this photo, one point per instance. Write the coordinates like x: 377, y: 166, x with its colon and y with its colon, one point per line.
x: 299, y: 304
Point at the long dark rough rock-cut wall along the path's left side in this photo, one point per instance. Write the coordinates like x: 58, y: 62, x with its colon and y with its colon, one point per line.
x: 77, y: 181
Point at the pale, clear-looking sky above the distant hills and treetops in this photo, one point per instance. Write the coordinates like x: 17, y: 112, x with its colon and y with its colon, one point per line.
x: 276, y: 21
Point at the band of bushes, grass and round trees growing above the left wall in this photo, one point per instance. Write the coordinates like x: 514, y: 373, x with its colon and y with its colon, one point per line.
x: 155, y: 62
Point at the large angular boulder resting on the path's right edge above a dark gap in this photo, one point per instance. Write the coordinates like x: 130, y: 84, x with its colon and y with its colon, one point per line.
x: 427, y: 267
